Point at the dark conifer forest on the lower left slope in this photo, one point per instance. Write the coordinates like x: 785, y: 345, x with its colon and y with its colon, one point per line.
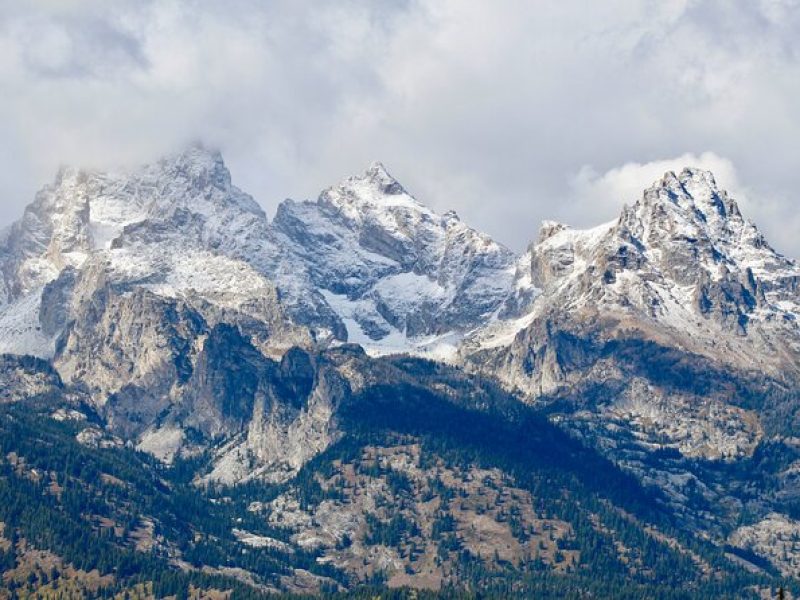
x: 198, y: 524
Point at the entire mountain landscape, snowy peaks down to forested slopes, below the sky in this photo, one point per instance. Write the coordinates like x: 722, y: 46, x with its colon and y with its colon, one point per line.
x: 361, y: 397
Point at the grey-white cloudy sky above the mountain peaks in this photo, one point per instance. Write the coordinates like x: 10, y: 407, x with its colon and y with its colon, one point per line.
x: 508, y: 111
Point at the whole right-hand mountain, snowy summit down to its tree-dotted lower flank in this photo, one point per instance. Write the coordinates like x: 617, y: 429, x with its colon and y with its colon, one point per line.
x: 668, y: 339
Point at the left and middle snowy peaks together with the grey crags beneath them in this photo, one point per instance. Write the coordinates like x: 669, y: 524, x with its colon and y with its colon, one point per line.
x: 163, y: 293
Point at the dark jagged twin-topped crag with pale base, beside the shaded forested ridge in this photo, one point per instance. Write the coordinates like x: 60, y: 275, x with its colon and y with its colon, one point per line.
x: 272, y: 417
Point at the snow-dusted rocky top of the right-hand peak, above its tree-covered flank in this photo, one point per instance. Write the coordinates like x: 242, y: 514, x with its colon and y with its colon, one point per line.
x: 681, y: 268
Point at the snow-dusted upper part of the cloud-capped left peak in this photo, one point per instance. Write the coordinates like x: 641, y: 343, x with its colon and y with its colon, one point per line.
x: 177, y: 228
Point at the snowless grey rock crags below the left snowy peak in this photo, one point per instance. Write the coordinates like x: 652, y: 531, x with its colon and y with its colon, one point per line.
x: 162, y: 376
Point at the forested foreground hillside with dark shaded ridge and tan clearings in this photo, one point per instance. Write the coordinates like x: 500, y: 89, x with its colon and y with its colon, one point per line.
x: 436, y: 479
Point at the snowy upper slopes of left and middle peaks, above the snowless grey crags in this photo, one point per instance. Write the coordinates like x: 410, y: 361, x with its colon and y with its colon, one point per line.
x: 366, y: 262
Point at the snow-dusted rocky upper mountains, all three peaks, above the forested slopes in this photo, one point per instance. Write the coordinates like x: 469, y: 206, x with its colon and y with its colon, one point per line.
x: 123, y: 279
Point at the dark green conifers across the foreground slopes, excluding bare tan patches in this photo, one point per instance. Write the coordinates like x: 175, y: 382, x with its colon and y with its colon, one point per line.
x: 466, y: 422
